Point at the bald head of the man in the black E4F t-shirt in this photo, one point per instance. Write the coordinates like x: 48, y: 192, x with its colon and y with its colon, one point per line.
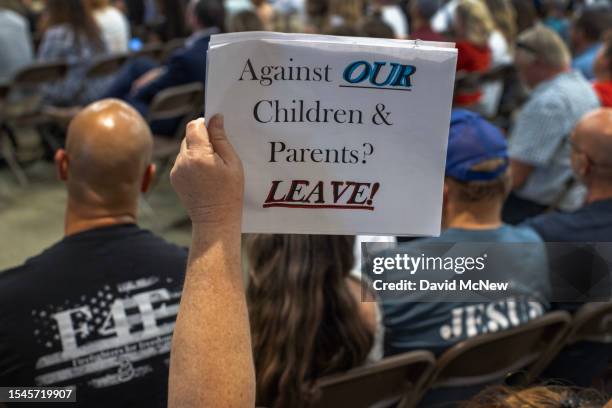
x: 107, y: 156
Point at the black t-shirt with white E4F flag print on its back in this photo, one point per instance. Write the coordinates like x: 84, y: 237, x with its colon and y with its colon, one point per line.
x: 95, y: 310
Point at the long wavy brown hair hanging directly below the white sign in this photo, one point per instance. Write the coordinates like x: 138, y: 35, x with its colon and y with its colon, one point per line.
x: 305, y: 323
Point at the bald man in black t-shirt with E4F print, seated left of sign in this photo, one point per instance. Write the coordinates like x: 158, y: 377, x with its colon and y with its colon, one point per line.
x: 97, y: 309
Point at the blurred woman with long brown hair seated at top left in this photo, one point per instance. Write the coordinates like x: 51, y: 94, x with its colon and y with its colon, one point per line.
x: 73, y: 36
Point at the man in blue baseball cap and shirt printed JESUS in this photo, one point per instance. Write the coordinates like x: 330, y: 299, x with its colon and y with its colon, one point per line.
x: 477, y: 181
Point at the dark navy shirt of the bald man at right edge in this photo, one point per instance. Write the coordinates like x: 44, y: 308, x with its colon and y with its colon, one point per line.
x: 591, y: 223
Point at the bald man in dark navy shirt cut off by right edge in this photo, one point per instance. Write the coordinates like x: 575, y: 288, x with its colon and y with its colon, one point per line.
x: 591, y: 144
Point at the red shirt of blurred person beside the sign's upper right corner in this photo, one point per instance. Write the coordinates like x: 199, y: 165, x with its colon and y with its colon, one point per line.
x: 471, y: 58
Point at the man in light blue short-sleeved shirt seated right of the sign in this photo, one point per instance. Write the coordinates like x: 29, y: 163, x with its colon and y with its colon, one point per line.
x: 539, y: 146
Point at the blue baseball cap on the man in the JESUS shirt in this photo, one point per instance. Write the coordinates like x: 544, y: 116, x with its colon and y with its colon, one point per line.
x: 473, y: 140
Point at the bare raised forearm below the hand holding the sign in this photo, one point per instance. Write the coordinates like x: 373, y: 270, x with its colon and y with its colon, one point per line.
x: 211, y: 344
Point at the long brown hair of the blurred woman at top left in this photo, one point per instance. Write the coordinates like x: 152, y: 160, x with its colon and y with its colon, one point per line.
x: 77, y: 14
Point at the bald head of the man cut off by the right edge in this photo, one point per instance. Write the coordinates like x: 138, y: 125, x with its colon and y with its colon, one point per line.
x: 592, y: 139
